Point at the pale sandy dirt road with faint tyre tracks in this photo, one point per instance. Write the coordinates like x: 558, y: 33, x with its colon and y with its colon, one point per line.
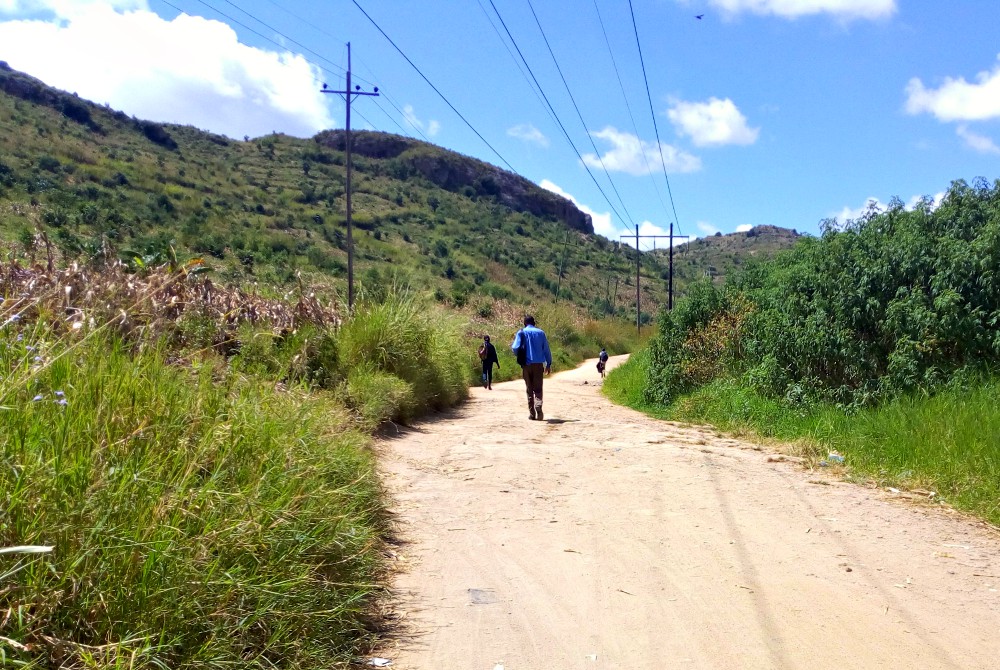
x: 604, y: 539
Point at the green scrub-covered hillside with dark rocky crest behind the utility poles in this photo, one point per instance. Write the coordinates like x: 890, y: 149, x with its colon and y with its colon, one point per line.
x: 87, y: 180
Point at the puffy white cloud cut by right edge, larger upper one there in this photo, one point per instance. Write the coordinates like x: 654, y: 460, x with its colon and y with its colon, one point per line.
x: 957, y: 99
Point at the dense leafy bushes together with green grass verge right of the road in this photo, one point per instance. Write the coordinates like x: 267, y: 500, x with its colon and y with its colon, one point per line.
x: 878, y: 341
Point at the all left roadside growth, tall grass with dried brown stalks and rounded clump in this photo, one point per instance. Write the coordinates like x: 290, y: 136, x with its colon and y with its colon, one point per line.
x: 197, y: 489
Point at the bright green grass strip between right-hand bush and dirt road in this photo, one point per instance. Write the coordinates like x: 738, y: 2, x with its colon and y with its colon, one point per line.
x: 946, y: 443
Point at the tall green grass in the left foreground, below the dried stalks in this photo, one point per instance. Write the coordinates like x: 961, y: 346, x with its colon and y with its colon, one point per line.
x: 198, y: 518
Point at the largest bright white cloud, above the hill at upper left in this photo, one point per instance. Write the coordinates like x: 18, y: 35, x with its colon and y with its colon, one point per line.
x: 189, y: 70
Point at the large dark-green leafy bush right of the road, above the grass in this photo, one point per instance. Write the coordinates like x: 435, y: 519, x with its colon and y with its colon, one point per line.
x: 895, y: 301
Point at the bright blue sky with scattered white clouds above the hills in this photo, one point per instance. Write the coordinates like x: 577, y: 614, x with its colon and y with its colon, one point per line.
x: 737, y: 113
